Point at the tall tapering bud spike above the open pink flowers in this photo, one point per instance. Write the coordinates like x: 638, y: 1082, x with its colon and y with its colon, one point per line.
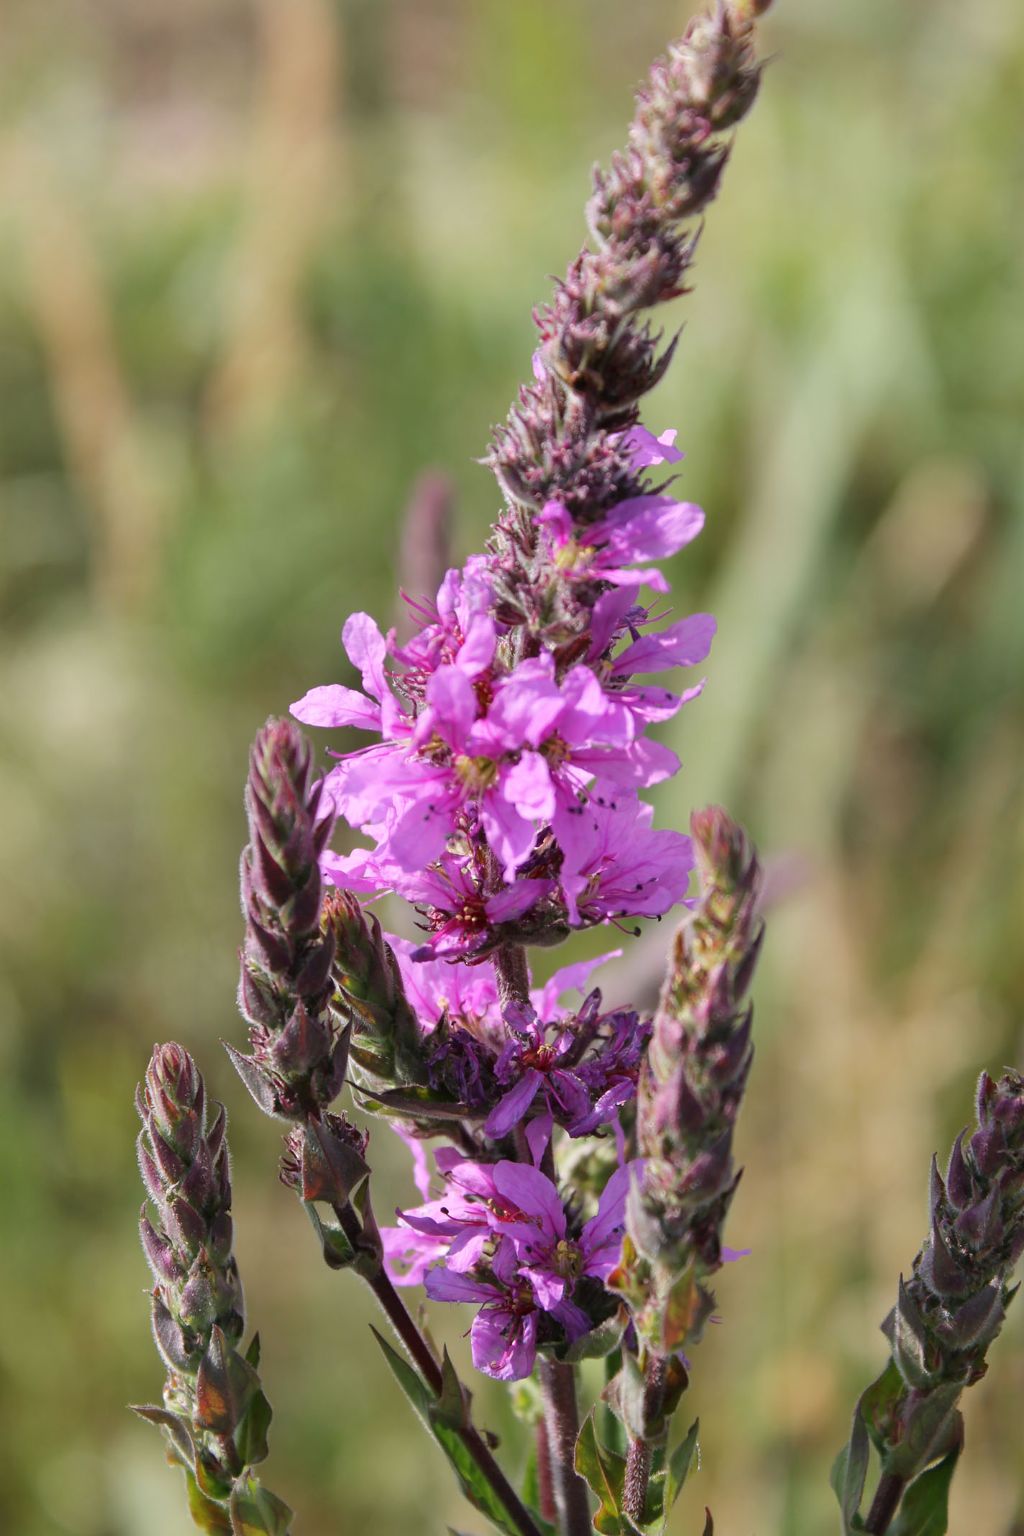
x: 566, y: 437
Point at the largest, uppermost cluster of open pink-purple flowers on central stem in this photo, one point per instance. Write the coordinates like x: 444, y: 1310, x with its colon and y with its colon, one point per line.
x: 504, y: 792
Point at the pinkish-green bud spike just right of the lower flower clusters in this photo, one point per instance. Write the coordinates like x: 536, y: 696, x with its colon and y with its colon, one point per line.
x: 693, y: 1082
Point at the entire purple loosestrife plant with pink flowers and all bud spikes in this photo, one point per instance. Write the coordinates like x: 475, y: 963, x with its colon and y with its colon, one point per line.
x: 575, y: 1162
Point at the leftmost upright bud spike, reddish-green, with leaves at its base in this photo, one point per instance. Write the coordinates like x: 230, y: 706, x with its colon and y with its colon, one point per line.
x: 216, y: 1417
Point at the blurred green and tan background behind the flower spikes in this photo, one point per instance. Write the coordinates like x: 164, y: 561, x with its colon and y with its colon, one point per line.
x: 262, y: 265
